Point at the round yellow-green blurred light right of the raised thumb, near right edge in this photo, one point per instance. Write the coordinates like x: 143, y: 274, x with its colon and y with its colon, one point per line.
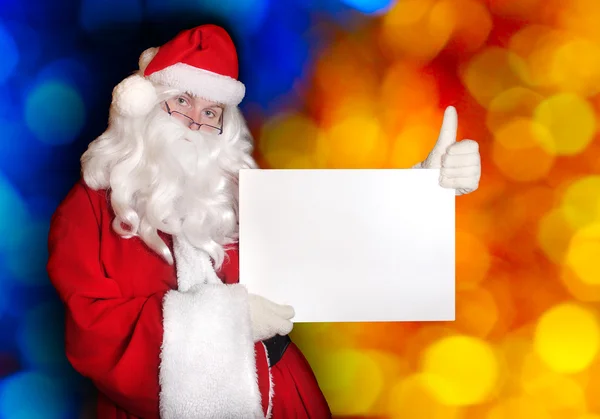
x: 570, y: 119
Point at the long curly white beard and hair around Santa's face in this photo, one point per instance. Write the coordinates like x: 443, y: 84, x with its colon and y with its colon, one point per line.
x: 158, y: 181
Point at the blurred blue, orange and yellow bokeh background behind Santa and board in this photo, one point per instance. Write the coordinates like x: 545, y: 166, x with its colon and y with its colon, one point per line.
x: 347, y: 84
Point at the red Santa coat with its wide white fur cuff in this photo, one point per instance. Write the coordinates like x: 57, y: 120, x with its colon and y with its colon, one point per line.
x: 154, y: 349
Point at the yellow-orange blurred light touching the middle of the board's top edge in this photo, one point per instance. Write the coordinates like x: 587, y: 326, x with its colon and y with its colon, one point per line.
x: 353, y: 143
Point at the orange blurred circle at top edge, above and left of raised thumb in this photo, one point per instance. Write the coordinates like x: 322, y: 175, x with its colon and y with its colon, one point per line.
x: 413, y: 29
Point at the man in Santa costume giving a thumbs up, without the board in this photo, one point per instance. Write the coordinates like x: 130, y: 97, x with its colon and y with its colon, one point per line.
x: 143, y: 250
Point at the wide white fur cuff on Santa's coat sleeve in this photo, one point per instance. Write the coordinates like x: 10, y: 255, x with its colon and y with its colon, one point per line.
x: 208, y: 367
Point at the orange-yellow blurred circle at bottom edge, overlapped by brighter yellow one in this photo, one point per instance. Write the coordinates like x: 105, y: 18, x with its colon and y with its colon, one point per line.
x: 412, y: 399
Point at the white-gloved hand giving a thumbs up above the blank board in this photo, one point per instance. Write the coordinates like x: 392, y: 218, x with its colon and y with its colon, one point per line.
x: 459, y: 162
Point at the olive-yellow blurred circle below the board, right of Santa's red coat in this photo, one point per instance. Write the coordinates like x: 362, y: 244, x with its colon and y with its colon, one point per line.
x: 351, y: 381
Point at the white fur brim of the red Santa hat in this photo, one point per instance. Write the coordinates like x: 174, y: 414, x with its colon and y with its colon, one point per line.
x: 202, y: 83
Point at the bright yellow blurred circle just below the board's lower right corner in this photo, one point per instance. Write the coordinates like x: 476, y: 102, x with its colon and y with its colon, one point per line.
x: 463, y: 370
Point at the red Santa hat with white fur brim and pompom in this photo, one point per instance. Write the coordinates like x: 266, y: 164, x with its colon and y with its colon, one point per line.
x: 202, y: 61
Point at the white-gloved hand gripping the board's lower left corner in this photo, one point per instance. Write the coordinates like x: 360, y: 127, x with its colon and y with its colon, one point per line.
x: 268, y: 318
